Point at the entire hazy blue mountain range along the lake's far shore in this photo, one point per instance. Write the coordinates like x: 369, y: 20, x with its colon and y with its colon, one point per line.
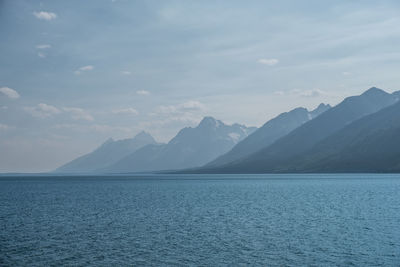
x: 360, y: 134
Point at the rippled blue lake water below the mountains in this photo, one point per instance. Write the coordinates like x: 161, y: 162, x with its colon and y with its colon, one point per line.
x: 265, y: 220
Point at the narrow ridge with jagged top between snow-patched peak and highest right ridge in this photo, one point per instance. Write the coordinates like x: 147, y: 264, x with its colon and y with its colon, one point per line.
x: 271, y: 131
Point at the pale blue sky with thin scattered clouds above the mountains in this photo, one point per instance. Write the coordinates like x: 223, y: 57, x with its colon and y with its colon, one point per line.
x: 75, y: 73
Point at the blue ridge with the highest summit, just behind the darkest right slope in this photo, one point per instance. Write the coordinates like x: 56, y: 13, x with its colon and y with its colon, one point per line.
x: 302, y: 139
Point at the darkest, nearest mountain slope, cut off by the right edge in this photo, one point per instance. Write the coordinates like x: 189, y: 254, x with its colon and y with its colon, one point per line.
x: 370, y: 144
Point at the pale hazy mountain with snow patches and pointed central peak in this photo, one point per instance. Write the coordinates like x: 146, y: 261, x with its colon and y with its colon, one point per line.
x: 191, y: 147
